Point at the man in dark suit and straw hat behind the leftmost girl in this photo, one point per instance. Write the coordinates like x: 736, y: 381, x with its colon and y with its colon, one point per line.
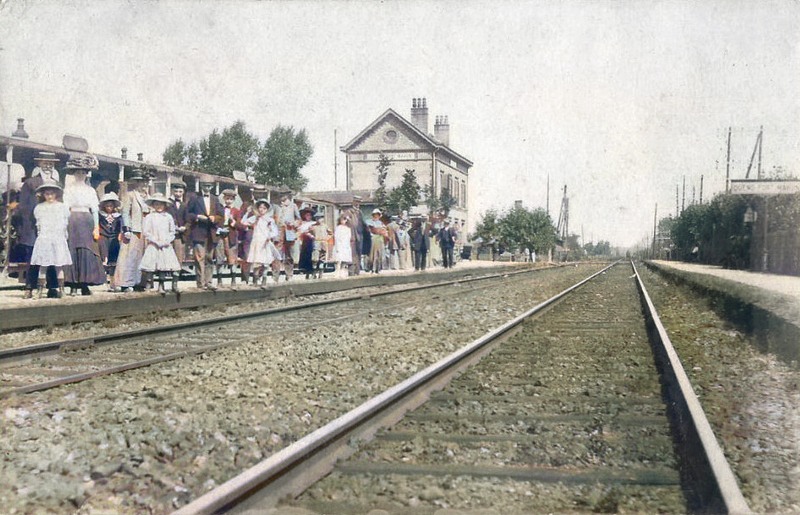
x: 25, y: 223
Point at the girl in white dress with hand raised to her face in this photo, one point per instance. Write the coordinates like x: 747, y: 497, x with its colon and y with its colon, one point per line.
x: 263, y: 252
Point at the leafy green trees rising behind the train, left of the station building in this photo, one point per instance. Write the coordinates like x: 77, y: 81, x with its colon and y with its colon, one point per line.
x: 276, y: 161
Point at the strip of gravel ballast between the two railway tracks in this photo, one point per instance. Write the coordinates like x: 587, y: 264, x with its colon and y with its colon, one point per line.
x: 173, y: 431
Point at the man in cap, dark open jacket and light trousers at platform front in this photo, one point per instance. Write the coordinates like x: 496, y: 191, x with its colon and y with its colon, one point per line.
x: 205, y: 214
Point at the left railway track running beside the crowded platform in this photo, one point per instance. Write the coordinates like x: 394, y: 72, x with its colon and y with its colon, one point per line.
x: 44, y: 366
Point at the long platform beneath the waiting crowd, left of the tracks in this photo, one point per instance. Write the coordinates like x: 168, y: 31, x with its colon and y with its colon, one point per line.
x: 17, y: 313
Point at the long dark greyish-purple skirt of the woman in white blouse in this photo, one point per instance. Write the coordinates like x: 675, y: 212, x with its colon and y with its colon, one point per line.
x: 86, y: 266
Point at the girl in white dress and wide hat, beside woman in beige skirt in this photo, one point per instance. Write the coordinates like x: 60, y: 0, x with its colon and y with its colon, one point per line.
x: 158, y: 231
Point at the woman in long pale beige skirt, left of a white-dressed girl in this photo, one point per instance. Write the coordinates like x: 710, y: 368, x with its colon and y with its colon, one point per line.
x: 128, y: 275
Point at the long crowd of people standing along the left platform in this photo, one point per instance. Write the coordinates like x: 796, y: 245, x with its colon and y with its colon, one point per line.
x: 70, y: 236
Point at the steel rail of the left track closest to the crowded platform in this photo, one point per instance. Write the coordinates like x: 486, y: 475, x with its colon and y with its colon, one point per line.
x: 44, y: 349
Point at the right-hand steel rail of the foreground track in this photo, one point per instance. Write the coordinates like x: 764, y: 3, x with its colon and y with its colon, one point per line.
x: 709, y: 470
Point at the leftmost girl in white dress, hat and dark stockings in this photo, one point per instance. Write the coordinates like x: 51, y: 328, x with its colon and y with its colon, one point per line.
x: 51, y: 248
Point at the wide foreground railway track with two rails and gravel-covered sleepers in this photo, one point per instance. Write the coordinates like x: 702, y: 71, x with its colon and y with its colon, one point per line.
x: 560, y: 409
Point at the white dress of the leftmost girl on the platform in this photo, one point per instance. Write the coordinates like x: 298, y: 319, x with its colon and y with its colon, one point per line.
x: 51, y: 249
